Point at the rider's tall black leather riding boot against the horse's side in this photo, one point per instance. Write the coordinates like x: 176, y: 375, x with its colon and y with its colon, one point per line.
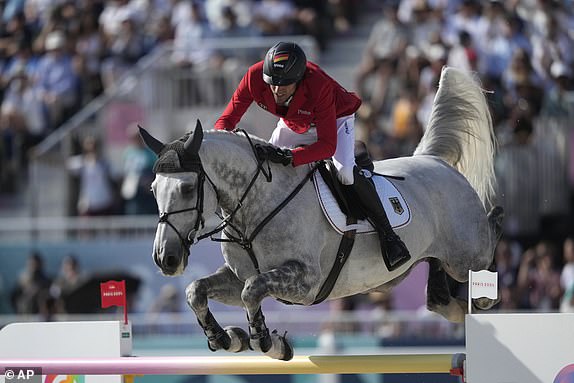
x: 395, y: 253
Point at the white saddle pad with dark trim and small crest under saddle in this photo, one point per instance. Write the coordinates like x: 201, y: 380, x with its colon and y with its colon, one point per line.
x: 395, y: 205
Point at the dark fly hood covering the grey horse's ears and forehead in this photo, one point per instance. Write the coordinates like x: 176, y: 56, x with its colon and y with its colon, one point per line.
x: 178, y: 156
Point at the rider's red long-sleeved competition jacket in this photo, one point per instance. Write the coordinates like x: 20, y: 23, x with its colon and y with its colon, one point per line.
x: 318, y: 100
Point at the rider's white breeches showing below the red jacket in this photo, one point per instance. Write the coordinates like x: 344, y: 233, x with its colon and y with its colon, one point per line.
x: 344, y: 157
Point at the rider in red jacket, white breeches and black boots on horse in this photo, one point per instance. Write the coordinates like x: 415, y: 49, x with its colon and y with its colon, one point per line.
x: 316, y: 122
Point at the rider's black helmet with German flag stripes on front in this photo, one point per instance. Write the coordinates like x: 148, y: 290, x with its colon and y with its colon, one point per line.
x: 284, y: 64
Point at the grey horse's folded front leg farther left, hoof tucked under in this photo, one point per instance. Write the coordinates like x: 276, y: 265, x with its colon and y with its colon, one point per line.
x: 222, y: 286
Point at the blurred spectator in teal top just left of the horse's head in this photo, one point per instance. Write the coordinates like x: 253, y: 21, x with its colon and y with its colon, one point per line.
x: 138, y: 175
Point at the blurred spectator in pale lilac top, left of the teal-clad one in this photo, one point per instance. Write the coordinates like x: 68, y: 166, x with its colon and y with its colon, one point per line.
x: 96, y: 195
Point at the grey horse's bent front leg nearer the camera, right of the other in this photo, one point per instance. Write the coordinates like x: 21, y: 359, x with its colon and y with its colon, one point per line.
x: 287, y: 282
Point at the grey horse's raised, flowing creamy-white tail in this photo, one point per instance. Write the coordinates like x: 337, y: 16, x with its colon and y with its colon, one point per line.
x: 460, y: 131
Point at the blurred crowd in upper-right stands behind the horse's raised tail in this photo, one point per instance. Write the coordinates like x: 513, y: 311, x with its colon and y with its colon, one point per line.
x: 520, y: 50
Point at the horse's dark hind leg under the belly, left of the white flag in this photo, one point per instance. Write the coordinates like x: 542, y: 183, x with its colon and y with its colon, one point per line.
x: 439, y: 298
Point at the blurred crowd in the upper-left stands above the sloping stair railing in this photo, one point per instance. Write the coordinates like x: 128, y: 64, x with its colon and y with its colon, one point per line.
x: 56, y: 56
